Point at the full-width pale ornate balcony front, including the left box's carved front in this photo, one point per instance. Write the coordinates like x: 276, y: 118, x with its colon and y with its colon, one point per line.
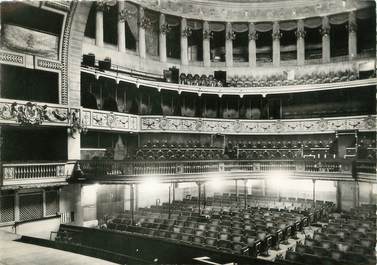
x: 21, y: 112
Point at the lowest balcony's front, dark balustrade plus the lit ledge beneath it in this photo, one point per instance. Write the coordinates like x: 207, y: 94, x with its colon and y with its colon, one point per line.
x: 135, y: 171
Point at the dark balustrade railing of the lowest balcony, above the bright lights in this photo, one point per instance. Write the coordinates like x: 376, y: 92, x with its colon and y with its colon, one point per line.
x: 104, y: 168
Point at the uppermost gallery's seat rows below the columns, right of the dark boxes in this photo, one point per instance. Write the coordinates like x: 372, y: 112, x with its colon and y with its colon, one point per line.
x: 282, y: 79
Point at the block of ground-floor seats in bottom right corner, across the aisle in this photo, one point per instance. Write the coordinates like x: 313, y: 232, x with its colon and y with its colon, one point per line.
x: 346, y: 239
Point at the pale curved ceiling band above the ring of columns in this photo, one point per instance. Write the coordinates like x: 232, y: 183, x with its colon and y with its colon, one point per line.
x: 251, y: 11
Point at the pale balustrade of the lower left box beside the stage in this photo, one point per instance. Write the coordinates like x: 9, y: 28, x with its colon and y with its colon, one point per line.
x: 28, y: 173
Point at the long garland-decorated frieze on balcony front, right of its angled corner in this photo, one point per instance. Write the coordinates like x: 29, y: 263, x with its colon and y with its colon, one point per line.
x: 204, y: 125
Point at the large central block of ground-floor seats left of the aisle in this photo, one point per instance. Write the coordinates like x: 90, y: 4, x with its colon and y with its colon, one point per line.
x: 247, y: 231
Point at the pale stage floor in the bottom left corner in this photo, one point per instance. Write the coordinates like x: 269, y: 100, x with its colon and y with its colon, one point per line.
x: 17, y: 253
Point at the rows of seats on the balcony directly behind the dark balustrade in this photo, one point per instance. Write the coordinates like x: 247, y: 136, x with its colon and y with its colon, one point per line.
x: 265, y: 150
